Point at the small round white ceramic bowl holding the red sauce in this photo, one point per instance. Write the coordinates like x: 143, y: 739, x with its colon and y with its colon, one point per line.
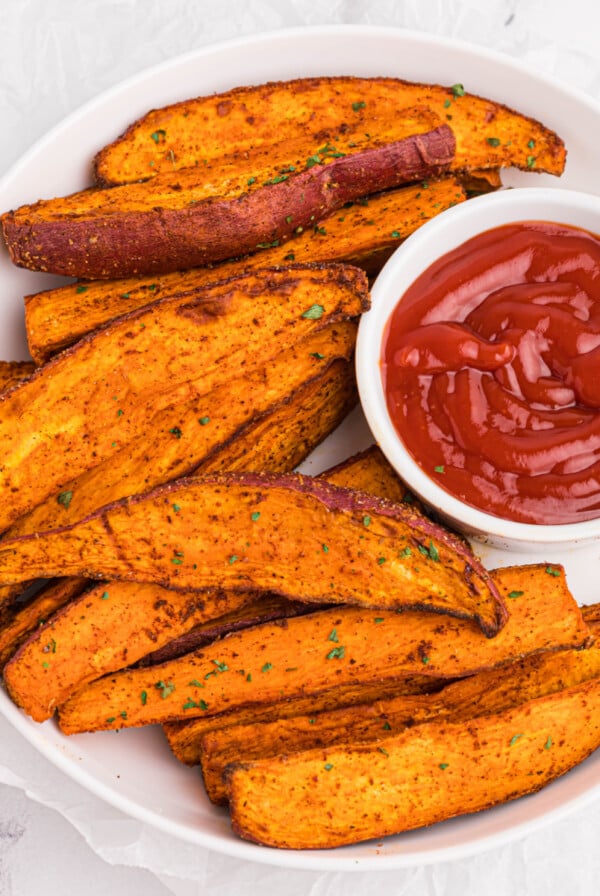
x: 434, y: 239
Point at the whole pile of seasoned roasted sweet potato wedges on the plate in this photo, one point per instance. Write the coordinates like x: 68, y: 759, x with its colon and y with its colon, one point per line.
x: 339, y: 665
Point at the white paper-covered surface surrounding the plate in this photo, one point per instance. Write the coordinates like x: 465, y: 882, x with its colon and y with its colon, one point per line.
x: 54, y: 56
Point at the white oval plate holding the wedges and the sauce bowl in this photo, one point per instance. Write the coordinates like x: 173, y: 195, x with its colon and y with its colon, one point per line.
x: 133, y: 770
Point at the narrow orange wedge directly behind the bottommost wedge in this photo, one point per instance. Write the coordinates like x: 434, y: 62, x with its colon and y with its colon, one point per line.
x: 484, y: 693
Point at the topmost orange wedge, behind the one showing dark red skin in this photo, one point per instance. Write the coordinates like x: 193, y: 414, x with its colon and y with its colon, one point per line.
x: 309, y: 112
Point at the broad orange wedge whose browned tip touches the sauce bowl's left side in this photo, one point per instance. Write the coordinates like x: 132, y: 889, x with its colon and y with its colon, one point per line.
x: 102, y: 393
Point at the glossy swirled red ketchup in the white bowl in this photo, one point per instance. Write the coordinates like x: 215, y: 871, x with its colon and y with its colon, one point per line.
x: 491, y: 368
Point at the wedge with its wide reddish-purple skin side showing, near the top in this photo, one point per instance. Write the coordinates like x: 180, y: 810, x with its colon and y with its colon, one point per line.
x: 176, y: 221
